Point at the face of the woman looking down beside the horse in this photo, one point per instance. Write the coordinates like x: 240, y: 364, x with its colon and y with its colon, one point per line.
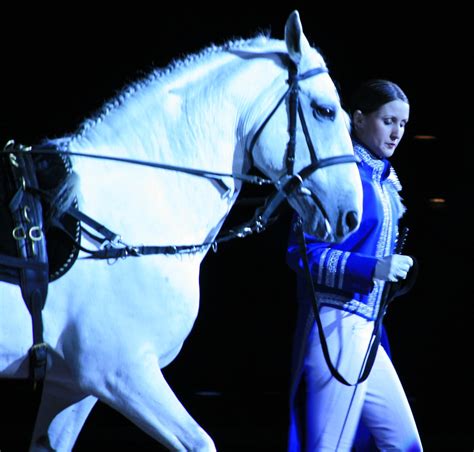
x: 382, y: 130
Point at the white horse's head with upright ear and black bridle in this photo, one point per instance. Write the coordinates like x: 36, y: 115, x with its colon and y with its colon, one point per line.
x: 318, y: 171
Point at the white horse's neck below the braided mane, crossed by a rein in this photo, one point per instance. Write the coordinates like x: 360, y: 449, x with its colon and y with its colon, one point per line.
x: 195, y: 125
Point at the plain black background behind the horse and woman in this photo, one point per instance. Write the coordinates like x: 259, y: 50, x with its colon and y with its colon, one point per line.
x: 59, y: 66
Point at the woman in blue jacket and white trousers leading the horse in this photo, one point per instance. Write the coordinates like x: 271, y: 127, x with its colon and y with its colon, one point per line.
x: 349, y: 278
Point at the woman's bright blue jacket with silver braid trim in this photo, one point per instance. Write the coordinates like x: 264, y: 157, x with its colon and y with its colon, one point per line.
x: 343, y: 273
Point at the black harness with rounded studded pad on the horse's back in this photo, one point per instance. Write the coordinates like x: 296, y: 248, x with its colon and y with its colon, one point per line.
x: 32, y: 253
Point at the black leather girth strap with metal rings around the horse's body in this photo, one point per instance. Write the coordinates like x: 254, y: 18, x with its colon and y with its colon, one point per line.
x: 26, y: 260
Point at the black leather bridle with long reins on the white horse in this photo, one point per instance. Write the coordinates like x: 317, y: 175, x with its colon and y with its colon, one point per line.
x: 111, y: 245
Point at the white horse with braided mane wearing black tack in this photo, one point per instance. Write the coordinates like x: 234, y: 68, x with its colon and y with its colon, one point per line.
x: 110, y: 329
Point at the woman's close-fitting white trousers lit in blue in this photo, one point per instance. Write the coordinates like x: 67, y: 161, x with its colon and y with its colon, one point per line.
x: 379, y: 401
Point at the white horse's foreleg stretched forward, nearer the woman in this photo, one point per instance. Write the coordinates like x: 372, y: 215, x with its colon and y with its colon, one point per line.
x: 141, y: 393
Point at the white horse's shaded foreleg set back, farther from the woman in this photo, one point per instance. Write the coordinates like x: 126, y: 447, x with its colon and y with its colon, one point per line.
x: 61, y: 416
